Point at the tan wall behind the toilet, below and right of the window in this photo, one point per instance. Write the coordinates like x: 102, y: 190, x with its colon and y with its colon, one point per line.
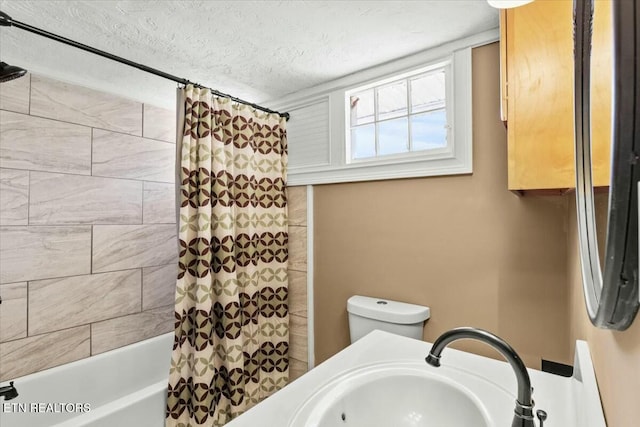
x: 475, y: 253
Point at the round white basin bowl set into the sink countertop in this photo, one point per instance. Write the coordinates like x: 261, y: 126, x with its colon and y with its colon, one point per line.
x: 392, y: 395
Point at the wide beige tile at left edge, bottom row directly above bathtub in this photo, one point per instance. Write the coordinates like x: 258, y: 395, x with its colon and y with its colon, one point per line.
x: 33, y: 354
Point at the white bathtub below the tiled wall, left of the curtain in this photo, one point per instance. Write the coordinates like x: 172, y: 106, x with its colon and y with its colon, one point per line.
x: 125, y: 387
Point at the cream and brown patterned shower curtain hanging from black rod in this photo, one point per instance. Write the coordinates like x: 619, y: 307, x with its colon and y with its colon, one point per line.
x: 232, y: 323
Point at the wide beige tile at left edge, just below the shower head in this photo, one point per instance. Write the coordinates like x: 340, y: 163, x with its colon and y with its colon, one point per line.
x: 44, y: 145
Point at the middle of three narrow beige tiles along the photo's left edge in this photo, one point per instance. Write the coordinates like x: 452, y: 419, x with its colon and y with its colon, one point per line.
x: 14, y: 197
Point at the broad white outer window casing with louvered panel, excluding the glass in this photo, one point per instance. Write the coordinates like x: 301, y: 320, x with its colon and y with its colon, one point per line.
x: 335, y: 166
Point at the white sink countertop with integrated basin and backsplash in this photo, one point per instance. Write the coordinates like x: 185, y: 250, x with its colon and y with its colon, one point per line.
x: 382, y: 380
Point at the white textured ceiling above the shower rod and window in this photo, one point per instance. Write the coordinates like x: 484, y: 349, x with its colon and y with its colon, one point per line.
x: 255, y: 50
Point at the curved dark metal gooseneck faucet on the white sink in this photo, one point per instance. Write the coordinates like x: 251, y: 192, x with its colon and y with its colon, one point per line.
x: 523, y: 416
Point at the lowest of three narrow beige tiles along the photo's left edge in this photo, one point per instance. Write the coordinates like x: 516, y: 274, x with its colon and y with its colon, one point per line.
x: 13, y: 311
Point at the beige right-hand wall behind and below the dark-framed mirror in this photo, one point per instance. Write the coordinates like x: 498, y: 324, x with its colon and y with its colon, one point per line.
x: 615, y: 355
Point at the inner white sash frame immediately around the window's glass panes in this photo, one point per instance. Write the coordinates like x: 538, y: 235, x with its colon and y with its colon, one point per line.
x: 424, y: 155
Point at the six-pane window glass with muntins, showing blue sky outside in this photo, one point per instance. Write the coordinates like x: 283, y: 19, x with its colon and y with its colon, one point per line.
x: 401, y: 116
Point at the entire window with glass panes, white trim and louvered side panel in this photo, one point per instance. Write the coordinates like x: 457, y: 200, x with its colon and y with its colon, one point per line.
x: 402, y: 119
